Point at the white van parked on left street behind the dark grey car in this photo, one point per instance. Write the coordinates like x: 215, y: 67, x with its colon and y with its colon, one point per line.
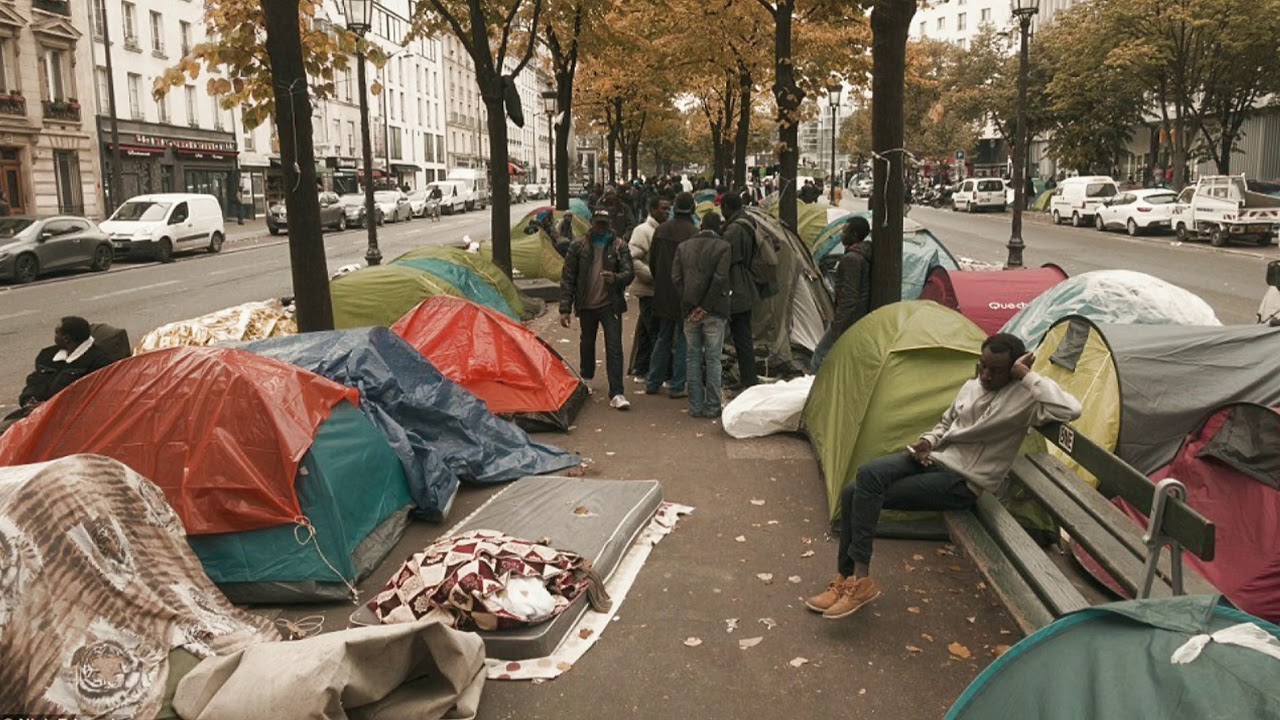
x: 161, y: 225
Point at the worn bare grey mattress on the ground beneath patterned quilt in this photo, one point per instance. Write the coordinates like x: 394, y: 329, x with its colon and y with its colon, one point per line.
x: 597, y: 520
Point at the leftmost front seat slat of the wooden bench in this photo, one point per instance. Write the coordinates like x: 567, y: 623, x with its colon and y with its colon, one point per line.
x: 1018, y: 598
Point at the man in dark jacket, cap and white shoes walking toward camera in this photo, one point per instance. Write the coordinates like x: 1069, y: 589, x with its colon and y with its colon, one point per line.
x: 597, y: 272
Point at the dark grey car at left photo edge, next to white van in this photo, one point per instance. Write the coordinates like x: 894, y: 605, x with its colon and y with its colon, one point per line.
x: 31, y: 247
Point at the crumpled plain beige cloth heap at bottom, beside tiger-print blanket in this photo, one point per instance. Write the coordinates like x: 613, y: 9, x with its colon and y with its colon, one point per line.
x: 420, y: 671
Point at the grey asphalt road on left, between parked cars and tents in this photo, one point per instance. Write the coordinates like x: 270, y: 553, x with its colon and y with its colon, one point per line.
x: 143, y: 297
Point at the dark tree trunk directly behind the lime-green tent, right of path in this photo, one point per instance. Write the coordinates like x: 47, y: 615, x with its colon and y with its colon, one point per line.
x: 892, y: 21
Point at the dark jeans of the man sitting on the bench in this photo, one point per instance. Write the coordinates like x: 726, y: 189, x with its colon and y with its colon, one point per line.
x: 893, y: 482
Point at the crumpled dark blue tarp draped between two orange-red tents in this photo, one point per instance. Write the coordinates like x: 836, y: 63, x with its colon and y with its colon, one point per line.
x: 442, y: 434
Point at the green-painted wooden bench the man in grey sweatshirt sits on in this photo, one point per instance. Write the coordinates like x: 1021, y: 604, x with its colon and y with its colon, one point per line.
x: 1030, y: 585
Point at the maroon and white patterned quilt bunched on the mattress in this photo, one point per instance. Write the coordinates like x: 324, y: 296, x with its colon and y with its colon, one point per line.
x: 460, y: 582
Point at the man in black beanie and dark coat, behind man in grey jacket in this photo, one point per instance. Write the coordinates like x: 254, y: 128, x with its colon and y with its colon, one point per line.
x: 666, y: 302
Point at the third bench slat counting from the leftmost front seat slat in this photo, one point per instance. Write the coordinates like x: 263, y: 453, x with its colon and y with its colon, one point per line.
x: 1104, y: 546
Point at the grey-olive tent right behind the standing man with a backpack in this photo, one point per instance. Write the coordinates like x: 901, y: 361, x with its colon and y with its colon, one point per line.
x: 797, y: 317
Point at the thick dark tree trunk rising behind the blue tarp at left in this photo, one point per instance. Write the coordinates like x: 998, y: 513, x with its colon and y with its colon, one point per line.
x: 301, y: 200
